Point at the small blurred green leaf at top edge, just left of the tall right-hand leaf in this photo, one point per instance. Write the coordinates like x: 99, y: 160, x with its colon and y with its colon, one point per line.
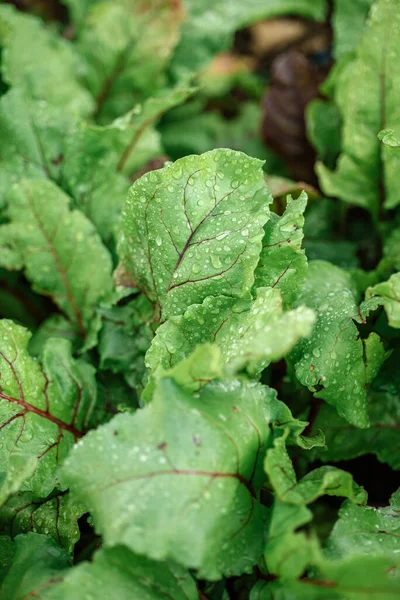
x: 348, y: 24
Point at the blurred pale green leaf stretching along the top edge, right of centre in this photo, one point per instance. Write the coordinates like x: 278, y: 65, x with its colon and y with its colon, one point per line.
x: 210, y: 25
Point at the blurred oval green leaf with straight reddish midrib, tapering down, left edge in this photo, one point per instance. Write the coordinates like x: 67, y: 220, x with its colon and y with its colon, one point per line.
x: 59, y: 248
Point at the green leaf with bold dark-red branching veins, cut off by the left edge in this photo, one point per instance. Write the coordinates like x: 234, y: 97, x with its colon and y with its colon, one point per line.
x: 44, y: 407
